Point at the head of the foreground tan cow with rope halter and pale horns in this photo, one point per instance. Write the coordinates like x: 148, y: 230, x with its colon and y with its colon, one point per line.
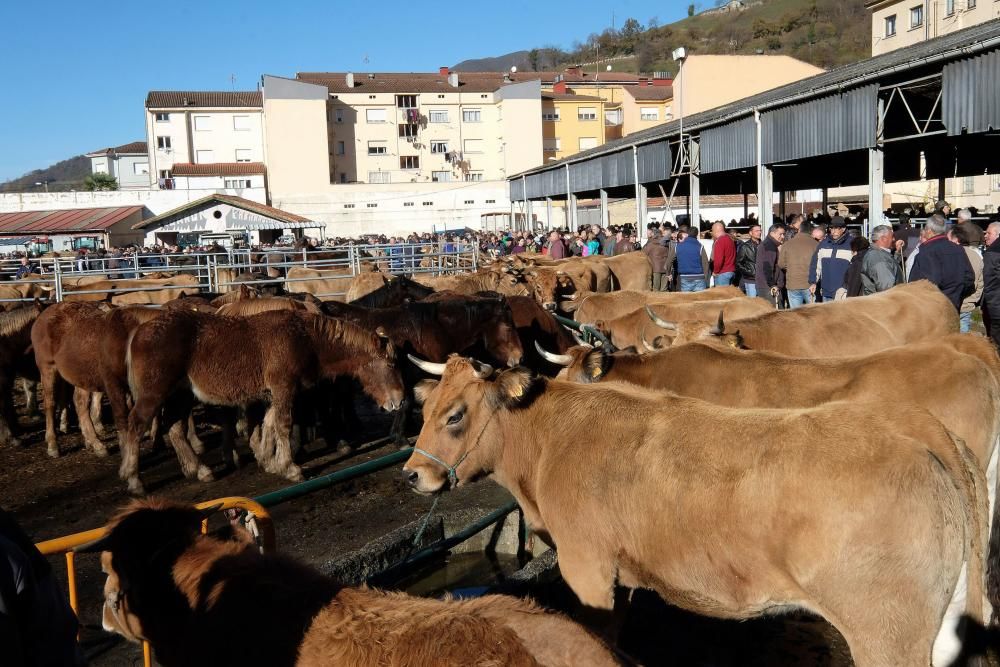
x: 460, y: 438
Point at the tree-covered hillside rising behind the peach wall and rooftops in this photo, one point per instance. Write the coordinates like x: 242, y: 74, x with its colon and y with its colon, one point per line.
x: 826, y: 33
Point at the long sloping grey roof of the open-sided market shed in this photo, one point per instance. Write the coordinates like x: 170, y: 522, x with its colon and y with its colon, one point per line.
x: 953, y: 46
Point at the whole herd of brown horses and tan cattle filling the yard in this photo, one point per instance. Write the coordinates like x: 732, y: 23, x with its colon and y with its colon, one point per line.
x: 738, y: 460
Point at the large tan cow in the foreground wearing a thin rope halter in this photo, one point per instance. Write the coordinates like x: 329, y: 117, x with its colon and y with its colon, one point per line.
x: 731, y: 513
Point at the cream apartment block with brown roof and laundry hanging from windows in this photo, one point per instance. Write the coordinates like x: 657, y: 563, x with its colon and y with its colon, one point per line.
x: 392, y: 128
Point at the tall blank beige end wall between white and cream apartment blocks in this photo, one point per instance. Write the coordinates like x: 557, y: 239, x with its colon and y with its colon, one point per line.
x: 295, y: 131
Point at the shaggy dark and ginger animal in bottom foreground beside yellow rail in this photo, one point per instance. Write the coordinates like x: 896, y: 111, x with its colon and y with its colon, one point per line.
x: 190, y: 595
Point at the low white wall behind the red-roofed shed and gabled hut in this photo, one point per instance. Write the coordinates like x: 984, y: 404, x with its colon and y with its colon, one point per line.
x: 156, y: 201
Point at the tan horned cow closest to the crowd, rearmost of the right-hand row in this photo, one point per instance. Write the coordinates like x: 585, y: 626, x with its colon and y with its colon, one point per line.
x: 904, y: 314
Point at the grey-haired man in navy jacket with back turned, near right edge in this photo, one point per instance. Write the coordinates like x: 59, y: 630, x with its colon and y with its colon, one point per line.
x: 944, y: 263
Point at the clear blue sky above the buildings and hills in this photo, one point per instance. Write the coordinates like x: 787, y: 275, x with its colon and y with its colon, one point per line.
x: 76, y: 73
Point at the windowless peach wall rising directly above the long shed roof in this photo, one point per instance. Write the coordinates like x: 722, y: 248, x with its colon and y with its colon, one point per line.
x: 706, y: 82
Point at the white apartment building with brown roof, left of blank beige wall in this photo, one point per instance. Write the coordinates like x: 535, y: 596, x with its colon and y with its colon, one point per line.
x: 202, y: 128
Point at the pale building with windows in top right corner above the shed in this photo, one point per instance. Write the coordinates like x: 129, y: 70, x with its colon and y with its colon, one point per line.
x: 899, y: 23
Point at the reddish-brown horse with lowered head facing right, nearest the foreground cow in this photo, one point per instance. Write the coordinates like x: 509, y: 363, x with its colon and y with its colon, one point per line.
x: 238, y: 361
